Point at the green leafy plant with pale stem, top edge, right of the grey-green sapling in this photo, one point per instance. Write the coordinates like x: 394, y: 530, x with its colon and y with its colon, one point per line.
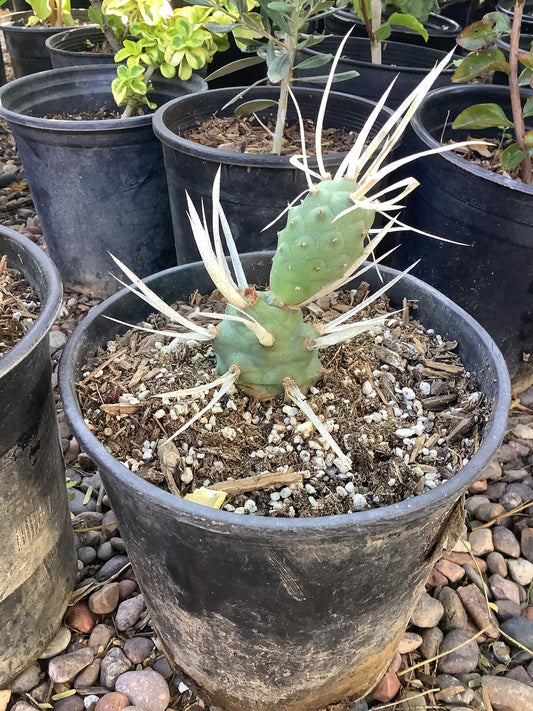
x: 404, y: 13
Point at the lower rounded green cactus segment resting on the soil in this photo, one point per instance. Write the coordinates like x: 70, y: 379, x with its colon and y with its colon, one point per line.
x: 263, y: 368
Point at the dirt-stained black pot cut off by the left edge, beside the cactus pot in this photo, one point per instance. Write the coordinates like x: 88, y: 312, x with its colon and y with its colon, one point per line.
x: 38, y: 561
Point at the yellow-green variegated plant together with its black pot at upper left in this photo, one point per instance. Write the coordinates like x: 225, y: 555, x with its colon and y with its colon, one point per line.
x: 119, y: 185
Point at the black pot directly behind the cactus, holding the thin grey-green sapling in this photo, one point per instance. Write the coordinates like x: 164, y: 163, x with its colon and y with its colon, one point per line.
x: 254, y: 188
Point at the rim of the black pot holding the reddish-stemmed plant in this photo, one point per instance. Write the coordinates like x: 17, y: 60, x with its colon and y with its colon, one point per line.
x: 440, y: 94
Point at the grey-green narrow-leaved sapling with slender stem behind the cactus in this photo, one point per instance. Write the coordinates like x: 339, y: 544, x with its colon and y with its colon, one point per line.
x: 275, y: 31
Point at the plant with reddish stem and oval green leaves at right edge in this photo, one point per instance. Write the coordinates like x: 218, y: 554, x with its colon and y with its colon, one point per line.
x: 479, y: 39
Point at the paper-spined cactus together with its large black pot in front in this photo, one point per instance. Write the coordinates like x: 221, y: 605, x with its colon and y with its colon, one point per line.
x: 267, y: 612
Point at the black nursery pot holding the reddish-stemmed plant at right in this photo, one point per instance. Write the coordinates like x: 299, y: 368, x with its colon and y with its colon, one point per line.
x: 493, y: 278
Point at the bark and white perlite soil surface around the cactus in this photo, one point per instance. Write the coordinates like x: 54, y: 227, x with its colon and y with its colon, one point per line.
x: 396, y: 399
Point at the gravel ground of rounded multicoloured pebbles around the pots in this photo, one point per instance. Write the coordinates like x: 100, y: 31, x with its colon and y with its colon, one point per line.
x: 477, y: 610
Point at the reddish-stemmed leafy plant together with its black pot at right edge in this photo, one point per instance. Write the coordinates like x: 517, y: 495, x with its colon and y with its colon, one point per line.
x: 485, y: 195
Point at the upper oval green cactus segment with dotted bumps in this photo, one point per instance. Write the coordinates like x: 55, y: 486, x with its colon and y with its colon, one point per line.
x: 313, y: 251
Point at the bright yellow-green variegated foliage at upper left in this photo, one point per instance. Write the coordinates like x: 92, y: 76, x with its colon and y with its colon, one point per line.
x: 148, y: 35
